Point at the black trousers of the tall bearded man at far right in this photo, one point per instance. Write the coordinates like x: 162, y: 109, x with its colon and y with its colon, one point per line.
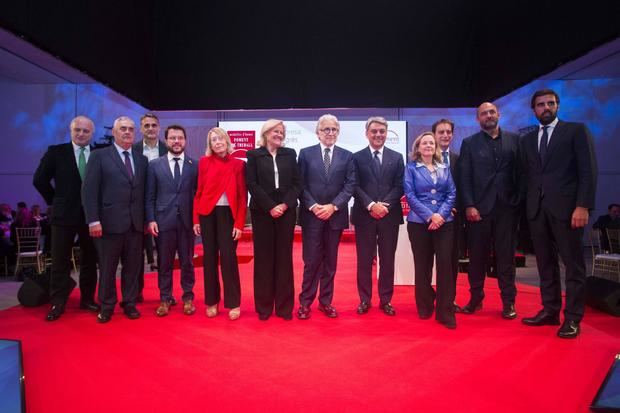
x: 550, y: 237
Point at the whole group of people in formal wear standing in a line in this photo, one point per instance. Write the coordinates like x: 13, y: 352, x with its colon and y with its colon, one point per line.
x: 552, y: 168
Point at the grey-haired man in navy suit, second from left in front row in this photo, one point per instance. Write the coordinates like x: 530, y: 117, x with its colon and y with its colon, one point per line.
x: 113, y: 198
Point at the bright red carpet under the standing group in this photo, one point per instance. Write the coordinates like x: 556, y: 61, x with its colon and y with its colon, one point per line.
x: 369, y: 363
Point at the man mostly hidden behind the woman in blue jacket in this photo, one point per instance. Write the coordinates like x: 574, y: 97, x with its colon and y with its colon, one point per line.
x: 443, y: 130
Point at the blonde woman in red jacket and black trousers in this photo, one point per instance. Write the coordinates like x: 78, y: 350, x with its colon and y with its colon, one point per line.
x: 219, y: 215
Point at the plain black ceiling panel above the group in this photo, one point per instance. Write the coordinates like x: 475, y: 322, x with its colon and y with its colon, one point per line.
x: 176, y: 55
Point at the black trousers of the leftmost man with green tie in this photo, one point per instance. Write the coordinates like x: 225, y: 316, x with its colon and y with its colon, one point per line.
x: 62, y: 245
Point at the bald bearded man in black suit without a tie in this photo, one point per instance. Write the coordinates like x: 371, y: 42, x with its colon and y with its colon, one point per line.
x: 489, y: 192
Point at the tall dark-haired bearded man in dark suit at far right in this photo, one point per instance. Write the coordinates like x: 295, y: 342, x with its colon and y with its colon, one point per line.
x: 559, y: 163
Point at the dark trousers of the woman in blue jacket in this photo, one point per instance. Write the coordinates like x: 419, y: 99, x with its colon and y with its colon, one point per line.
x: 427, y: 245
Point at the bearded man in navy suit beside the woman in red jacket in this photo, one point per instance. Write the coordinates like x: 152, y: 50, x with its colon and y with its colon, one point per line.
x: 170, y: 187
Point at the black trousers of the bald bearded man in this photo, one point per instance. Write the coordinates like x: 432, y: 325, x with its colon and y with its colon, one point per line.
x: 497, y: 230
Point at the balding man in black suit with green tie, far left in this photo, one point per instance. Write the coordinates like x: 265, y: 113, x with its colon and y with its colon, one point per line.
x: 65, y: 165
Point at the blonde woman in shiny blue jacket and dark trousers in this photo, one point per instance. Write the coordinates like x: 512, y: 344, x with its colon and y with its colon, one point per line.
x: 431, y: 195
